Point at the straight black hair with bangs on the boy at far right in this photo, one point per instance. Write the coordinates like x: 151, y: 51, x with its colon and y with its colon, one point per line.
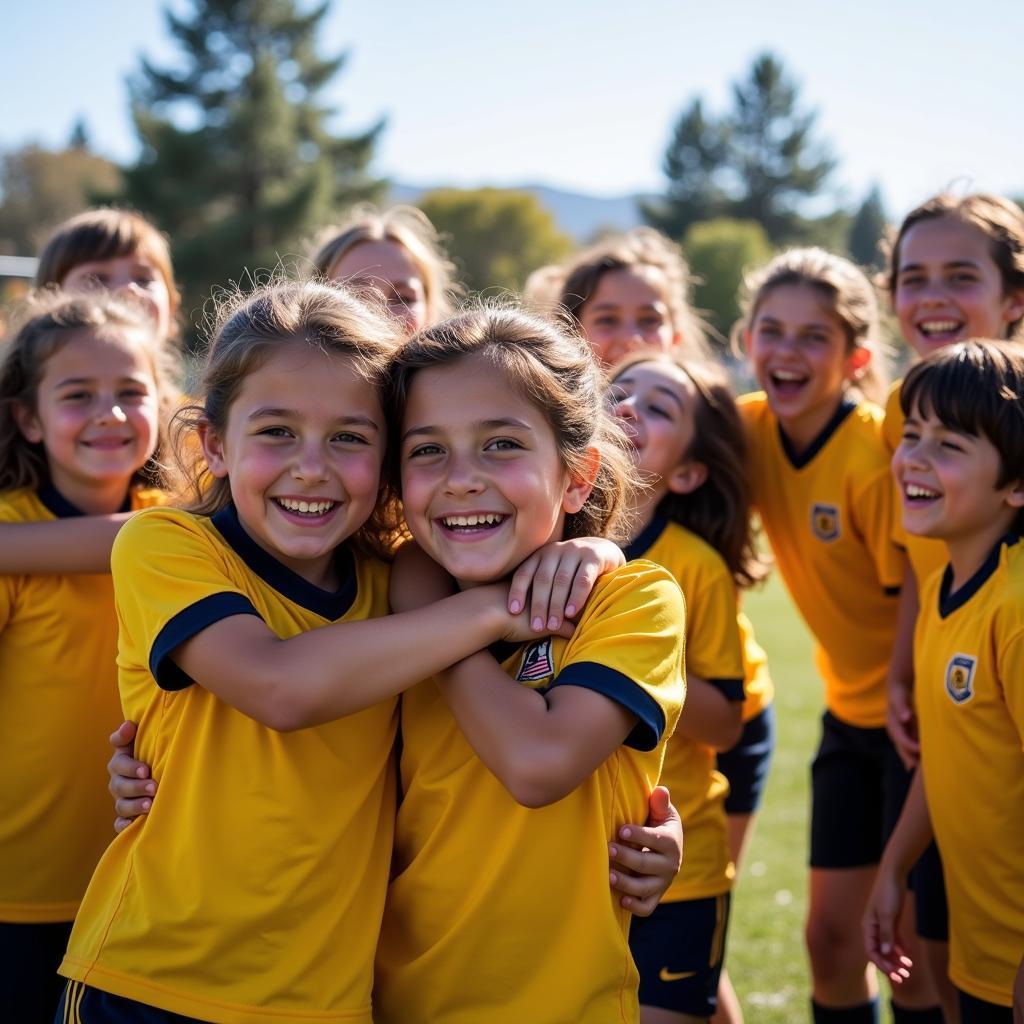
x: 975, y: 388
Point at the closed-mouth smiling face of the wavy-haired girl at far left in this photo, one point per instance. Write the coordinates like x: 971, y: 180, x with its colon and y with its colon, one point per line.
x: 97, y: 416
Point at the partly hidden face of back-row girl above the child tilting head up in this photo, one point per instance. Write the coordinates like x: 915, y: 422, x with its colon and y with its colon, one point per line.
x: 627, y: 312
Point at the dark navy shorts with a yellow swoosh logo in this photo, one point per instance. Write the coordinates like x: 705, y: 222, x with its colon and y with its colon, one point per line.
x: 679, y: 952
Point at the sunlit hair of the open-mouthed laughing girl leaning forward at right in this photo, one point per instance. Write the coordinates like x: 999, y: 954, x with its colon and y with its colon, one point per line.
x: 846, y: 290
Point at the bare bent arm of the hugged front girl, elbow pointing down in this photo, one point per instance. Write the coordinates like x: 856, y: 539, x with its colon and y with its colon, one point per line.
x: 540, y: 747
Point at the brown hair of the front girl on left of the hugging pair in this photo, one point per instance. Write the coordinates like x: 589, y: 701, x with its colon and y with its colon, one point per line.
x: 249, y: 330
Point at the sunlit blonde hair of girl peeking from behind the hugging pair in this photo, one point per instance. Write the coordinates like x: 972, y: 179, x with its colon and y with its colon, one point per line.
x: 406, y: 227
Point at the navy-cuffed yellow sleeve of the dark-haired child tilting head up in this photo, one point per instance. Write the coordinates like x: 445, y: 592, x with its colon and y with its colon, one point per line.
x: 714, y: 647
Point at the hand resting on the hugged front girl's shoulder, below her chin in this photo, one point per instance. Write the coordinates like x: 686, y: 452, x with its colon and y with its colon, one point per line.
x: 560, y: 578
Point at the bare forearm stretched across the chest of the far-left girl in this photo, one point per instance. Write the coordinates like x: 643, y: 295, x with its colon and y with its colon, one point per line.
x: 81, y: 544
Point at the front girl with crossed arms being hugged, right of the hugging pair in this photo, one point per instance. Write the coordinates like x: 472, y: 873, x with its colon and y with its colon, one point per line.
x: 519, y: 764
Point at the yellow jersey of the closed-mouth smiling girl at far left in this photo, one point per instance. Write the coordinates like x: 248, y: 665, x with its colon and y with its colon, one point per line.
x: 59, y: 644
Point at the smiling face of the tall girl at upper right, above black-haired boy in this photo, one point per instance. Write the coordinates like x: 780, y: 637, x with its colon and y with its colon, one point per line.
x: 949, y: 288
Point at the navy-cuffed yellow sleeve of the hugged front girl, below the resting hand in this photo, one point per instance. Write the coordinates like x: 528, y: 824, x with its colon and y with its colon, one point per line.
x: 630, y: 647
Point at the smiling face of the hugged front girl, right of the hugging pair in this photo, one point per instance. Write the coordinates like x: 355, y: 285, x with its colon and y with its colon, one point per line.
x: 483, y: 484
